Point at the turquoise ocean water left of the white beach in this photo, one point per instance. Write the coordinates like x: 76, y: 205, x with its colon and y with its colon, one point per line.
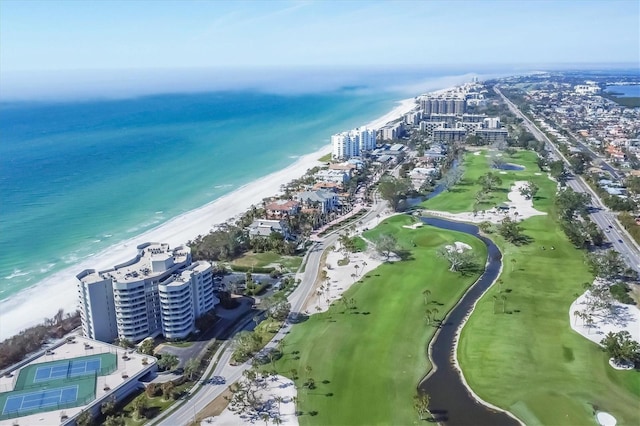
x: 76, y: 178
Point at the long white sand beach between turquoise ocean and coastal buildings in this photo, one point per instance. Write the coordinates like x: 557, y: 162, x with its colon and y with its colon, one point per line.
x: 58, y: 291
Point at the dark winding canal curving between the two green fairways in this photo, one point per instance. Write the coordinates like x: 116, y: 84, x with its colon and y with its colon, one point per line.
x: 451, y: 402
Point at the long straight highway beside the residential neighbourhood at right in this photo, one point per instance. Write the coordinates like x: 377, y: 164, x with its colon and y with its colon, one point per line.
x: 619, y: 238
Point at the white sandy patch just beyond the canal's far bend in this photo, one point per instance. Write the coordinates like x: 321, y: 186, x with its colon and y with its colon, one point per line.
x: 520, y: 208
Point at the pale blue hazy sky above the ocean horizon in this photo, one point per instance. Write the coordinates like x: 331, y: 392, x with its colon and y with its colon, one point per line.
x: 74, y: 36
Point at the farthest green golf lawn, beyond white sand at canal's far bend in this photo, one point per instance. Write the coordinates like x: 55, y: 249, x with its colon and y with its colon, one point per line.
x: 461, y: 198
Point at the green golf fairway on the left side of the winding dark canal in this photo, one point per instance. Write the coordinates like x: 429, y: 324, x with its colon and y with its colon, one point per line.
x: 367, y: 361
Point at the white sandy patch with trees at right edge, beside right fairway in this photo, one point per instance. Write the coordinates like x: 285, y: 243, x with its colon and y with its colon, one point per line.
x: 619, y: 317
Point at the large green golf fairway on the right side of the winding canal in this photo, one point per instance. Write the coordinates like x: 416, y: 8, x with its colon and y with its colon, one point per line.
x: 531, y: 362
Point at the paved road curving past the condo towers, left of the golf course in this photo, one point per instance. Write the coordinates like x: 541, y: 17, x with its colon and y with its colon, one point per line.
x: 208, y: 392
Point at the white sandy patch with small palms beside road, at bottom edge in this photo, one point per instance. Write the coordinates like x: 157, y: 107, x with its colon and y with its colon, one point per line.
x: 278, y: 386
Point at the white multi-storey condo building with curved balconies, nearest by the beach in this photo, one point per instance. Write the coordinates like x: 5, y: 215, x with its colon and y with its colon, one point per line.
x: 160, y: 291
